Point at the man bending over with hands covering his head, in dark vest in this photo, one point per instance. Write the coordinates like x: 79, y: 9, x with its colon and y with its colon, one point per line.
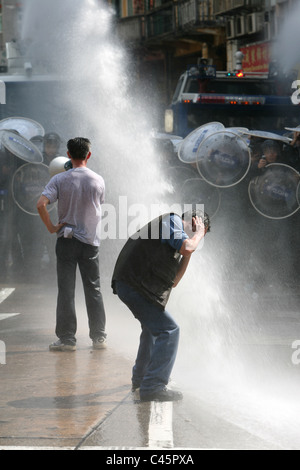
x: 150, y: 264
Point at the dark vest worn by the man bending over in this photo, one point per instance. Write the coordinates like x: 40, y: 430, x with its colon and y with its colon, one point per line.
x: 147, y: 264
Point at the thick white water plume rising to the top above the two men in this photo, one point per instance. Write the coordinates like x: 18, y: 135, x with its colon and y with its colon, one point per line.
x: 76, y: 41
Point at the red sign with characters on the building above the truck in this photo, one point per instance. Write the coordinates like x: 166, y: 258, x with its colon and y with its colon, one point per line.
x: 256, y: 57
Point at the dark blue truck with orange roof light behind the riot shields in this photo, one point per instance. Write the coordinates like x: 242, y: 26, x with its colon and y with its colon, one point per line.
x: 236, y: 99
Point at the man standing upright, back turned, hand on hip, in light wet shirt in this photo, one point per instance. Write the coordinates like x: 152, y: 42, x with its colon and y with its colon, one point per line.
x: 80, y: 193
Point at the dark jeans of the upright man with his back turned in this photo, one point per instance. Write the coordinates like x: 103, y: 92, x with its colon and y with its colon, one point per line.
x: 71, y: 253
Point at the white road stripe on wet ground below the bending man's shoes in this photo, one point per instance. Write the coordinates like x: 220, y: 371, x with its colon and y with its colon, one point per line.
x: 160, y: 425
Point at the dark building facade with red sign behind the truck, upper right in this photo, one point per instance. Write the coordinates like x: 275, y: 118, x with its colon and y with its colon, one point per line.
x: 167, y: 36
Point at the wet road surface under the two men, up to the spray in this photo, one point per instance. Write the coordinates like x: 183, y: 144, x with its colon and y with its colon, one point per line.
x: 82, y: 399
